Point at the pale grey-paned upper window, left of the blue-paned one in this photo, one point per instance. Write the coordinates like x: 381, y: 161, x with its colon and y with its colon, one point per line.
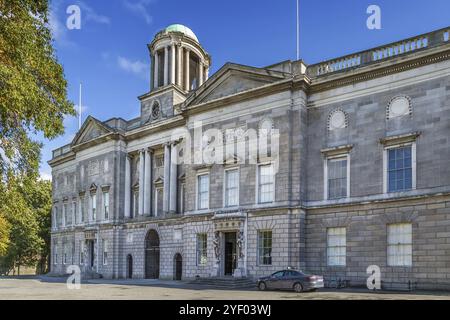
x: 337, y: 178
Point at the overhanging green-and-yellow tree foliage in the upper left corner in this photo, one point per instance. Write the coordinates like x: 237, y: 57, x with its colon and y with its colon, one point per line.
x: 33, y: 90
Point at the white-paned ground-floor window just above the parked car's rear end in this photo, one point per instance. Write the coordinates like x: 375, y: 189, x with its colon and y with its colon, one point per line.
x: 336, y: 246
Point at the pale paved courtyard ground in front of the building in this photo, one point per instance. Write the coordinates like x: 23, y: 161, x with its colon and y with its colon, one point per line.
x: 56, y: 289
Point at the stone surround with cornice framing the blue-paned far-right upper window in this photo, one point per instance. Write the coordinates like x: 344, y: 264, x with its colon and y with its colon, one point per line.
x: 398, y: 142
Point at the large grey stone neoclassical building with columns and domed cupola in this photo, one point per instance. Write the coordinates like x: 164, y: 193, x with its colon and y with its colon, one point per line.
x: 357, y: 172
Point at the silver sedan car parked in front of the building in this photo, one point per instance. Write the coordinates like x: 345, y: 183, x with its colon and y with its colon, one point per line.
x: 291, y: 279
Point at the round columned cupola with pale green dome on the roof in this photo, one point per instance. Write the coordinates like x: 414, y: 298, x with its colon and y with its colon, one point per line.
x: 178, y: 59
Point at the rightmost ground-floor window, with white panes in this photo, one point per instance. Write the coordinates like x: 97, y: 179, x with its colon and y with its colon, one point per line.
x: 399, y: 250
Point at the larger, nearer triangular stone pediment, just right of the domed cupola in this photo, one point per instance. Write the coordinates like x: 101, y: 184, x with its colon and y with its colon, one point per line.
x: 233, y: 79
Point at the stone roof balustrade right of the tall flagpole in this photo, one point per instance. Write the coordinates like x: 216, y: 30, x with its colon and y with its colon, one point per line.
x: 422, y: 42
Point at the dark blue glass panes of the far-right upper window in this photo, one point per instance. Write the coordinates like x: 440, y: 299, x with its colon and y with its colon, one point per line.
x: 399, y: 169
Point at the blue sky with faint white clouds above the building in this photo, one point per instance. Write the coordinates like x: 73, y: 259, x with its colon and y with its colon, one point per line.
x: 109, y: 53
